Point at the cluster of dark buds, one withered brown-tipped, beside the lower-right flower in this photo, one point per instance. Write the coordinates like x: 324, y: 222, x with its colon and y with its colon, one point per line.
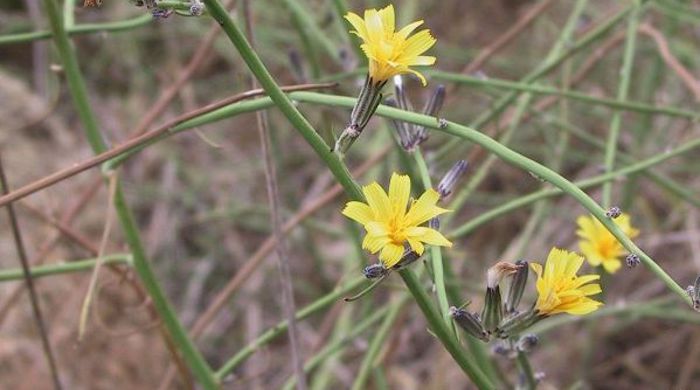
x: 499, y: 318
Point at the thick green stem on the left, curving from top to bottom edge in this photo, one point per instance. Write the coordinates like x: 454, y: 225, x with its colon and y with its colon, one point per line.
x: 76, y: 86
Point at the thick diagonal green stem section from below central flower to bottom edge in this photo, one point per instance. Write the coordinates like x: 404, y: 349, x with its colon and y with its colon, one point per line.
x: 440, y: 329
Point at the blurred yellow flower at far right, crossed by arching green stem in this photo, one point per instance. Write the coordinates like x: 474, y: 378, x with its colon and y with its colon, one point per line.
x: 598, y: 245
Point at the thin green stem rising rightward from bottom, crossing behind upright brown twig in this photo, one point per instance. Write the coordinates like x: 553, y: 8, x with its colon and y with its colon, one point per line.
x: 281, y: 328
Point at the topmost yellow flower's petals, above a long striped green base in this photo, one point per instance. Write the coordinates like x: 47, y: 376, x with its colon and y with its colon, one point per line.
x: 391, y: 52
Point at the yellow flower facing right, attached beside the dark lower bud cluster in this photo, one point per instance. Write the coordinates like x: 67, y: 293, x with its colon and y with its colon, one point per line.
x: 560, y: 290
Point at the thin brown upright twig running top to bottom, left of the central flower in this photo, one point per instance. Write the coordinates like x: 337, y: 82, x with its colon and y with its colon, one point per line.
x: 280, y: 244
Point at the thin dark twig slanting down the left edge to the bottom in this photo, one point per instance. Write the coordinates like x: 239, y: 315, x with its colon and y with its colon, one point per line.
x: 36, y: 309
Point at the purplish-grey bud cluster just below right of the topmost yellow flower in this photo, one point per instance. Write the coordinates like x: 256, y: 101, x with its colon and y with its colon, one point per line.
x: 410, y: 135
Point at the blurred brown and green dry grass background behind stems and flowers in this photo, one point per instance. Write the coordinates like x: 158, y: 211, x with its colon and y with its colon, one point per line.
x: 199, y: 197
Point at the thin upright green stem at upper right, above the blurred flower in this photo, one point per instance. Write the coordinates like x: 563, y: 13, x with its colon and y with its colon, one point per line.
x: 622, y: 92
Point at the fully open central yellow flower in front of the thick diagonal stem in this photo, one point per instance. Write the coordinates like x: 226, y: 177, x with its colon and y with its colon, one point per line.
x: 389, y: 226
